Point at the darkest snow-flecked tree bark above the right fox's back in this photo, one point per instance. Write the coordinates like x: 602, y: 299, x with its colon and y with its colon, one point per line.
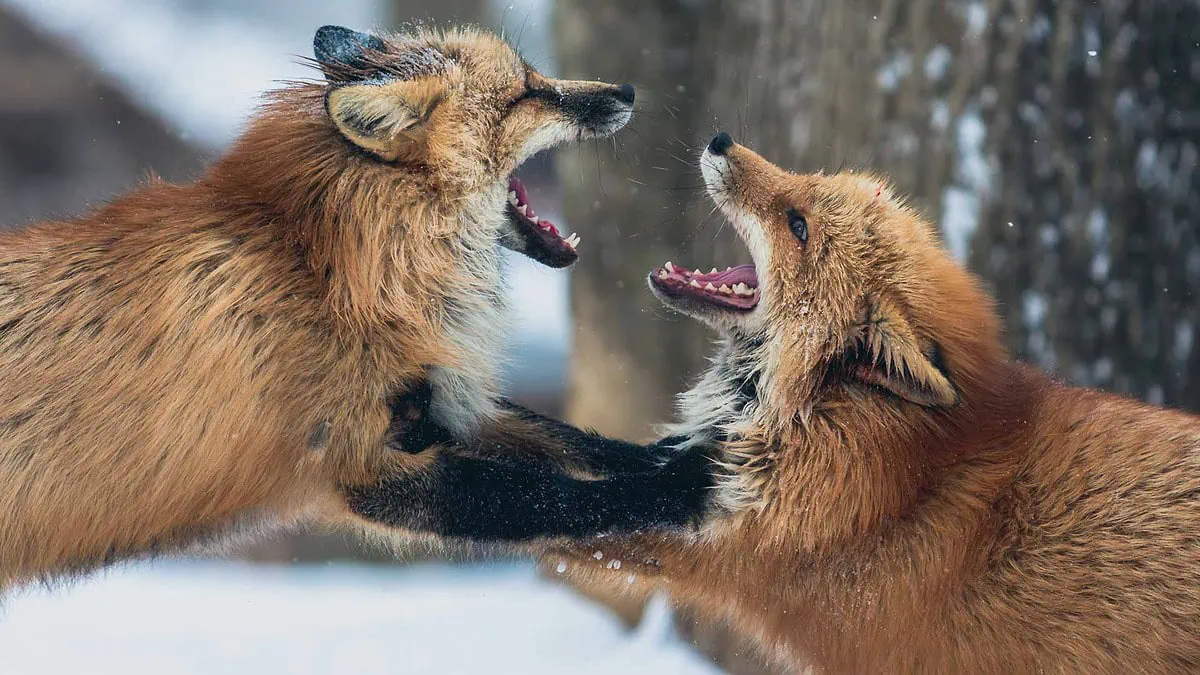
x: 1090, y: 230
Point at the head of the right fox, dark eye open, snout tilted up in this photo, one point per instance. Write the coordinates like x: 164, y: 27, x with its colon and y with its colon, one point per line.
x: 851, y: 294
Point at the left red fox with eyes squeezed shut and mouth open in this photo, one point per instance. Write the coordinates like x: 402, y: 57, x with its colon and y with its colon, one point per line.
x: 196, y: 361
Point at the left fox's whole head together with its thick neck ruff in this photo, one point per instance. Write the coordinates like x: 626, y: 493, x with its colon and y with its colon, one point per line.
x: 397, y: 166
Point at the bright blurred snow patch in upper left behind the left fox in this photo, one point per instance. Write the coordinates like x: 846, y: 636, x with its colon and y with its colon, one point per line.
x: 203, y: 70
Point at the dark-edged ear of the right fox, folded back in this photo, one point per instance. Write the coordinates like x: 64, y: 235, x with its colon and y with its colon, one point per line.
x: 887, y: 353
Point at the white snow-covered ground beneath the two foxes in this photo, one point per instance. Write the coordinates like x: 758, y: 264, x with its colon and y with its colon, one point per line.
x: 188, y: 618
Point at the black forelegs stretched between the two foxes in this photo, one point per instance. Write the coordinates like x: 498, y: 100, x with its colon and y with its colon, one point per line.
x: 518, y: 489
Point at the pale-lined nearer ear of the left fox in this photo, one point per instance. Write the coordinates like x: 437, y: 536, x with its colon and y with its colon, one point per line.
x: 387, y: 120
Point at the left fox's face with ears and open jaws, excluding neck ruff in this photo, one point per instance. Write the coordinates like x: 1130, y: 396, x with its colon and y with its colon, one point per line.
x: 460, y: 112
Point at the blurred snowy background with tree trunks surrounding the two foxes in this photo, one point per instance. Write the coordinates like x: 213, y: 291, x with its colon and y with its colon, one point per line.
x: 1054, y: 141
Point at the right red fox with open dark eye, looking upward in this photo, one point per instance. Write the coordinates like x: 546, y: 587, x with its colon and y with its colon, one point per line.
x: 892, y: 492
